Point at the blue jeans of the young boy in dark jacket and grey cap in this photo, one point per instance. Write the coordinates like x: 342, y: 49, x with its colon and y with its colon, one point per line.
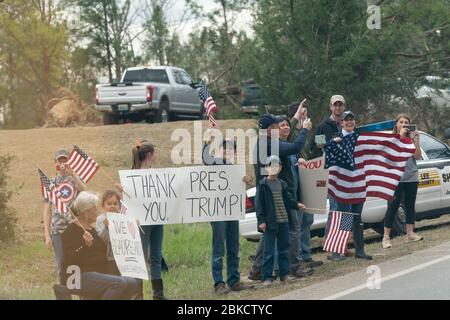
x: 281, y: 235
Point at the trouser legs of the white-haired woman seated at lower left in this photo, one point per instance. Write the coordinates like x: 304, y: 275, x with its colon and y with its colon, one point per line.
x: 96, y: 285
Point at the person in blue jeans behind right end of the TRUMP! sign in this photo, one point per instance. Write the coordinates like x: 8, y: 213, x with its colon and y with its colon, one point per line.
x: 225, y: 234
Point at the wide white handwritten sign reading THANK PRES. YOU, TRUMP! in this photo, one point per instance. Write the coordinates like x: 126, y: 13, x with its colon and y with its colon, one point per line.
x: 185, y: 195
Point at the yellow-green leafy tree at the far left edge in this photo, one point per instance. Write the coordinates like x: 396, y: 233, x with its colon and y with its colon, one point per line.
x: 32, y: 43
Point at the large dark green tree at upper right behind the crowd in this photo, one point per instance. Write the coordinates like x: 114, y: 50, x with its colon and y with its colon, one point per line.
x: 319, y: 48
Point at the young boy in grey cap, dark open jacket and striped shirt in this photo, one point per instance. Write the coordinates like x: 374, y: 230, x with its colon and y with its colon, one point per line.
x: 274, y: 201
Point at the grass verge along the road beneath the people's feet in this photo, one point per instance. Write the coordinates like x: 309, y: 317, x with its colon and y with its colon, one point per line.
x: 27, y: 271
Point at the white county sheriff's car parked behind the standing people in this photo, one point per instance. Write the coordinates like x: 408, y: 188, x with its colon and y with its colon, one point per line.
x: 433, y: 196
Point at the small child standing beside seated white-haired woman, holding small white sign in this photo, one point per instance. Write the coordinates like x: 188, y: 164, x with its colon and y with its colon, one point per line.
x: 110, y: 203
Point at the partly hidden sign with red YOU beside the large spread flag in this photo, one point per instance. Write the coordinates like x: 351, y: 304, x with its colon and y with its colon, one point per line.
x: 314, y: 184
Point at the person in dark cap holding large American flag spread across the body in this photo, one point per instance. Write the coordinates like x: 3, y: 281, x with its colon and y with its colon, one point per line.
x: 360, y: 165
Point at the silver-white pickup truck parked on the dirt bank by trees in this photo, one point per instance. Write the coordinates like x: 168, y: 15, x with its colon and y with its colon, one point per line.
x: 155, y: 94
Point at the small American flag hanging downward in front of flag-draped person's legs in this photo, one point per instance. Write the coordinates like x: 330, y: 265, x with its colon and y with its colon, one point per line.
x: 338, y: 232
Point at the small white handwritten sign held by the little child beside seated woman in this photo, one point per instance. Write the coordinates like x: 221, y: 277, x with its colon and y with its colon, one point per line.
x: 127, y: 246
